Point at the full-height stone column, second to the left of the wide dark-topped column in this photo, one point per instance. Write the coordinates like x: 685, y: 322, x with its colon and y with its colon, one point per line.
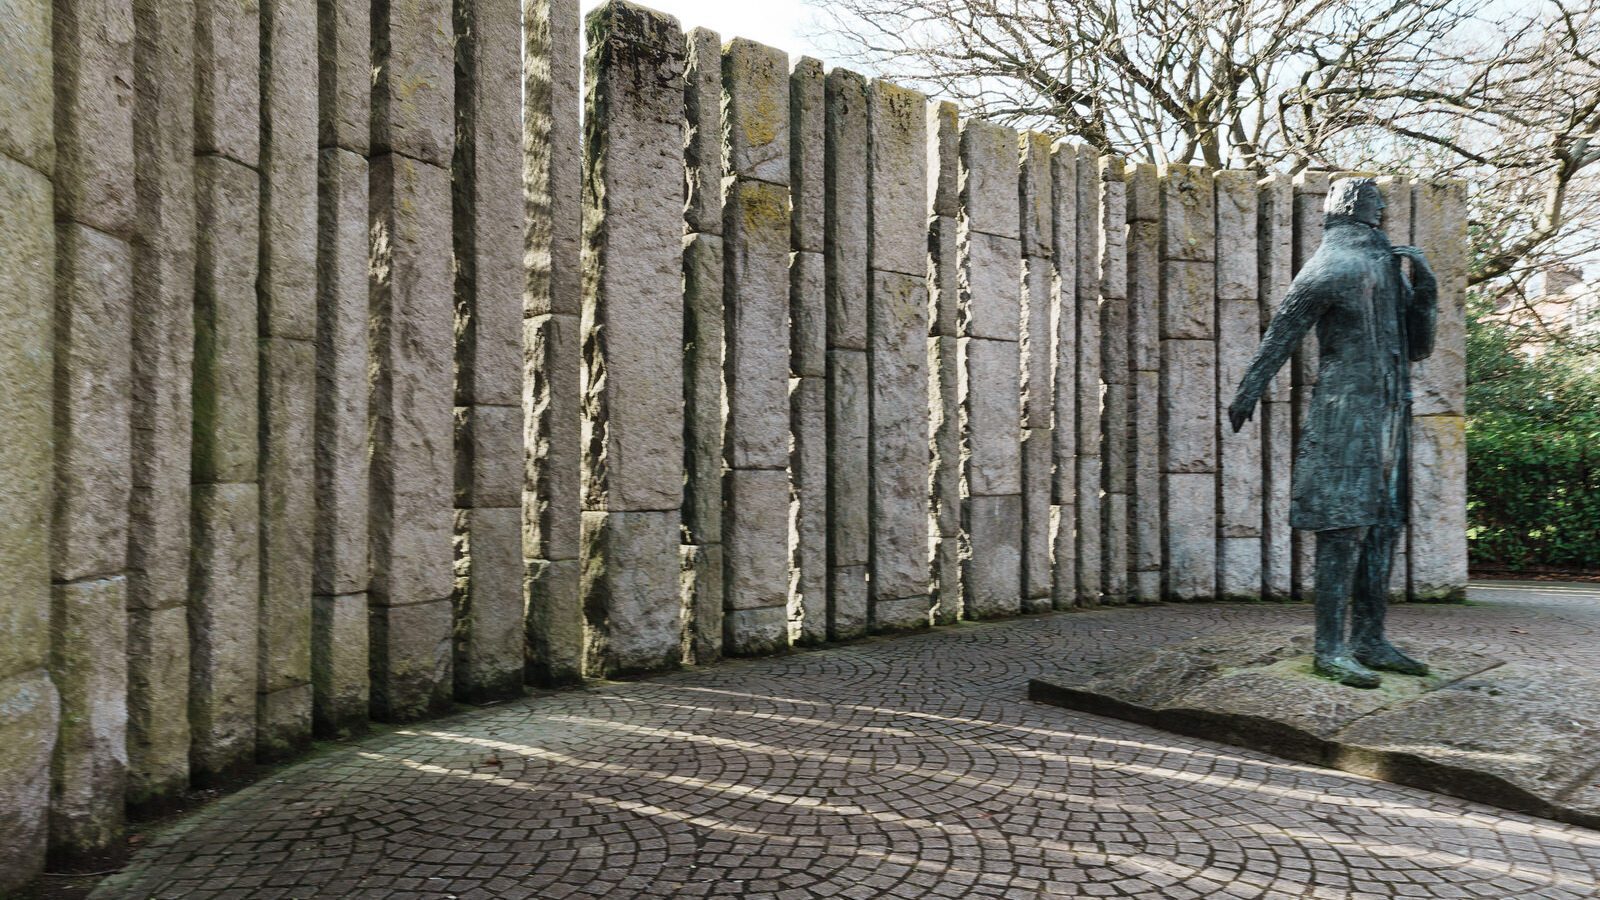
x: 487, y: 179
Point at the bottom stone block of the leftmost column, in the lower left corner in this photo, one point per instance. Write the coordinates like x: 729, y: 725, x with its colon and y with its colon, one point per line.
x: 30, y: 731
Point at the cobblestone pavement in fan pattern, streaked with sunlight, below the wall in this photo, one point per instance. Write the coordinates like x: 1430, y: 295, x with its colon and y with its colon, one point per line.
x: 910, y: 768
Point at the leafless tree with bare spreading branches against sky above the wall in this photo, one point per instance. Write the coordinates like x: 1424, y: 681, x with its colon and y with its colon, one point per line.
x: 1500, y: 92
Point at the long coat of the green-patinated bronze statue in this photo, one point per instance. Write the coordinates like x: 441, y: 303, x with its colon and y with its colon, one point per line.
x: 1351, y: 462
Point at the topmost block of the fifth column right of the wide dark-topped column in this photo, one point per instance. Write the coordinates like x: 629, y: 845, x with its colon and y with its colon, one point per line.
x: 897, y: 180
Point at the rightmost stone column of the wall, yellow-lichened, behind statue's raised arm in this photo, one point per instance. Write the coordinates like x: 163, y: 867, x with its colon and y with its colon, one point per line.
x: 1439, y: 448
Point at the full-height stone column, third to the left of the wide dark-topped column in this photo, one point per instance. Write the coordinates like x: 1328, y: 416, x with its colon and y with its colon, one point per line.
x: 412, y: 406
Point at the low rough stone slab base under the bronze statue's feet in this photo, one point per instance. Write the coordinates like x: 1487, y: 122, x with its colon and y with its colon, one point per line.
x: 1521, y: 736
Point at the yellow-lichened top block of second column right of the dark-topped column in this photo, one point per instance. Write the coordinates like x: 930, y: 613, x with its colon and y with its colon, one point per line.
x: 756, y: 105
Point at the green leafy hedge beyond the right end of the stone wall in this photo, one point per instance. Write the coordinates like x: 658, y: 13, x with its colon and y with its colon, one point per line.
x: 1534, y: 494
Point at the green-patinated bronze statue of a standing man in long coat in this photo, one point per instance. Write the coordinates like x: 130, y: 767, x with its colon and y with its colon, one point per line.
x: 1351, y: 464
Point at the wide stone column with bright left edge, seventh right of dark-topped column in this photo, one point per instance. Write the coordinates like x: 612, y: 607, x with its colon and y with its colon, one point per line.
x: 990, y: 323
